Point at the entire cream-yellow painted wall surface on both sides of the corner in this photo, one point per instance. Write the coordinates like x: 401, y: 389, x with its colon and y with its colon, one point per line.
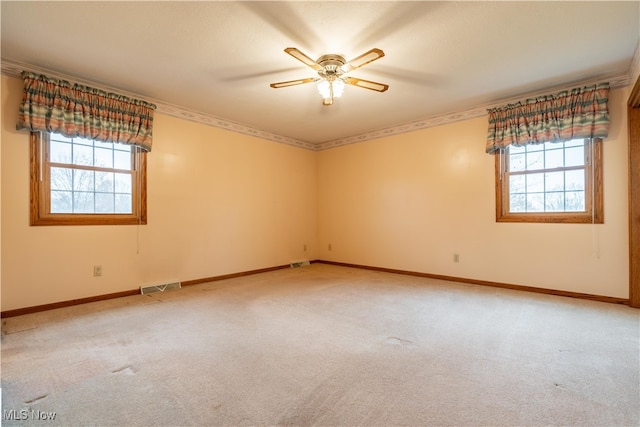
x: 221, y: 202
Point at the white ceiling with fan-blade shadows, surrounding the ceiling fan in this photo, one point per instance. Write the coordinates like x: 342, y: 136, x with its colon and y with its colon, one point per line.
x: 216, y: 58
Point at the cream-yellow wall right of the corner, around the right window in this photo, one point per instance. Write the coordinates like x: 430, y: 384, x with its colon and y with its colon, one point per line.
x: 411, y: 201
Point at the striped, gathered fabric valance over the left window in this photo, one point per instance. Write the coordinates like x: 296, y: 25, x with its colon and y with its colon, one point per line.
x: 73, y: 110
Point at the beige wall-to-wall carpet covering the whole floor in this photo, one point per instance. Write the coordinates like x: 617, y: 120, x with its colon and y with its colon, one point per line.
x: 325, y: 345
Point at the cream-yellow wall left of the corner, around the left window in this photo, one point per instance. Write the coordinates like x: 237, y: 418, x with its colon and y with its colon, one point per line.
x: 219, y: 202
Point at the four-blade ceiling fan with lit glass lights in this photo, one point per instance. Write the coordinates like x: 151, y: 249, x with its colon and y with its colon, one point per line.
x: 332, y: 70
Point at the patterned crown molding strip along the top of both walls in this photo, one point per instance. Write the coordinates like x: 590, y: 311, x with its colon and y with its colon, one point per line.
x: 14, y: 69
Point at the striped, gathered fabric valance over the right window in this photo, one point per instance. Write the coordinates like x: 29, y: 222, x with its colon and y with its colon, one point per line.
x: 579, y: 113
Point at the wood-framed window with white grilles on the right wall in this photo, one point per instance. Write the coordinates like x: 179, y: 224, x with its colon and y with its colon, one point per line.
x: 550, y: 182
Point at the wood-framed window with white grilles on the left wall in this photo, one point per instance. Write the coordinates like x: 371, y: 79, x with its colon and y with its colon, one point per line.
x: 77, y: 181
